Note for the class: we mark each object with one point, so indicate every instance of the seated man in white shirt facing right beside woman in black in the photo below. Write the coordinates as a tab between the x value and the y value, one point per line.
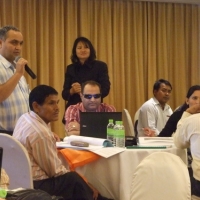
155	112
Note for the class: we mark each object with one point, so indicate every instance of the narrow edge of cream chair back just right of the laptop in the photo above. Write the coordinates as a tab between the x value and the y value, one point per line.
128	124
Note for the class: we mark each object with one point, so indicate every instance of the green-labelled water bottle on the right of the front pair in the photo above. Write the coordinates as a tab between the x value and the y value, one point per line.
120	135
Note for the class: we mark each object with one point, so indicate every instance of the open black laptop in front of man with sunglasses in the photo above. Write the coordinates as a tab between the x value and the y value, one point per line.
94	124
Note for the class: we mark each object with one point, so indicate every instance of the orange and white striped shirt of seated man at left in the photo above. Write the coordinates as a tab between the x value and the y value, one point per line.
38	139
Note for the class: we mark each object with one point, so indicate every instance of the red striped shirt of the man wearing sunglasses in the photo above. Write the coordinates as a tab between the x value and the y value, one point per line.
73	112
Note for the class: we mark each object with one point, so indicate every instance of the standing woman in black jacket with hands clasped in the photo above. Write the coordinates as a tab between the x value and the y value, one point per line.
84	67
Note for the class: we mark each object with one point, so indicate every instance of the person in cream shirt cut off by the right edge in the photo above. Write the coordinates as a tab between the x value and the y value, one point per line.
188	135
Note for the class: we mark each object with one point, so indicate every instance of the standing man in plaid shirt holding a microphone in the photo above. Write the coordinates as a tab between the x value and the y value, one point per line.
14	90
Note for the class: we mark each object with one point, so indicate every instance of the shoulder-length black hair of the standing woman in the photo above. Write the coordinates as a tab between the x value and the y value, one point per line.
87	42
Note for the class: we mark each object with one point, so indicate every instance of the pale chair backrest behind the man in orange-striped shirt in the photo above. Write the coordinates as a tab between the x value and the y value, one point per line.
16	162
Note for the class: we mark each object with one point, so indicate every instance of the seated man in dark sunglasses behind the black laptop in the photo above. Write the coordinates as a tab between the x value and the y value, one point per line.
91	102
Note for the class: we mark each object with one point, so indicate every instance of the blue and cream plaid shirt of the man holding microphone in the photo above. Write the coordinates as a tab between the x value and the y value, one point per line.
17	103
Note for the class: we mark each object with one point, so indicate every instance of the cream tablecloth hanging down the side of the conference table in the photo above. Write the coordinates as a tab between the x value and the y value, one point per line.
113	176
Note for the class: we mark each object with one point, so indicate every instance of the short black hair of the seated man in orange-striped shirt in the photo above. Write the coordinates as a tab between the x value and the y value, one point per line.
39	94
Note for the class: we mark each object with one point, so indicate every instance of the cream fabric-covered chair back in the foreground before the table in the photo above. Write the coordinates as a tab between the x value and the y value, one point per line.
161	176
